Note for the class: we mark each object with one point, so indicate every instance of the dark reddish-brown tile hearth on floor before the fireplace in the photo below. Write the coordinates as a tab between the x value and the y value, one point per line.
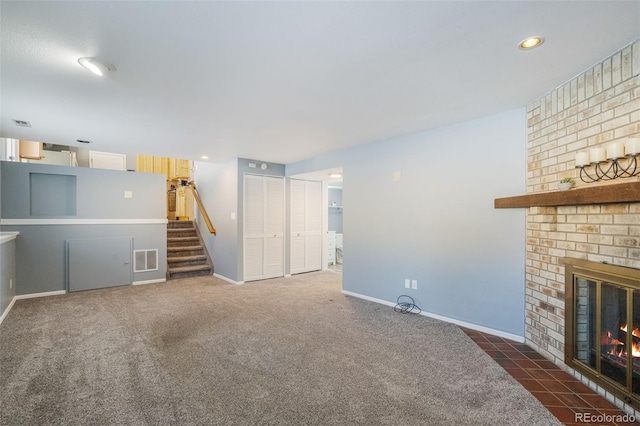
562	394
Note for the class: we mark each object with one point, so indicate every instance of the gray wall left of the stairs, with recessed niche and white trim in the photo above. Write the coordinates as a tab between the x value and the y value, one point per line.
99	196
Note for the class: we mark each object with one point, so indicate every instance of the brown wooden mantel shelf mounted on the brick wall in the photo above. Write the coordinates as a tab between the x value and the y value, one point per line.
607	194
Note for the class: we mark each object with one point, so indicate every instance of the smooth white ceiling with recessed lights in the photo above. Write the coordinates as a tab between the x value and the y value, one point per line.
285	81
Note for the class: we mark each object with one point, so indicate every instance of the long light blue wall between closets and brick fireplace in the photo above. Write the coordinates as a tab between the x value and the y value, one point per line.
438	224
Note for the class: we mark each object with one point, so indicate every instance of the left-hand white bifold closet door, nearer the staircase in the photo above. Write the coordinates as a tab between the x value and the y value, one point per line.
264	226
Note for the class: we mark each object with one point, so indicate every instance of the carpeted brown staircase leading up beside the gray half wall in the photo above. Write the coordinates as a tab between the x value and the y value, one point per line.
186	254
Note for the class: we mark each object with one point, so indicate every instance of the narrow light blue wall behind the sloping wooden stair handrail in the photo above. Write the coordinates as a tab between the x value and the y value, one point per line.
217	186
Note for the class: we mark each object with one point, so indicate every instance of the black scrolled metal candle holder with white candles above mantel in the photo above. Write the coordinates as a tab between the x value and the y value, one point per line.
607	164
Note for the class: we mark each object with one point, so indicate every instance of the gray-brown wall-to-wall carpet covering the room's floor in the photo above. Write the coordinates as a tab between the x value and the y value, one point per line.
285	351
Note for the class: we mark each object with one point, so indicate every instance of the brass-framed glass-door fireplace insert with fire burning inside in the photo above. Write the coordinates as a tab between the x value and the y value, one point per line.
601	301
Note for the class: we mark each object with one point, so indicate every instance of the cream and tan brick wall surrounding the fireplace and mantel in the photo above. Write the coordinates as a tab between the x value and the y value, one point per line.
597	107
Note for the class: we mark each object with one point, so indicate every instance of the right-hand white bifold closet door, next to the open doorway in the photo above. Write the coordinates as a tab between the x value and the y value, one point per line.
306	226
